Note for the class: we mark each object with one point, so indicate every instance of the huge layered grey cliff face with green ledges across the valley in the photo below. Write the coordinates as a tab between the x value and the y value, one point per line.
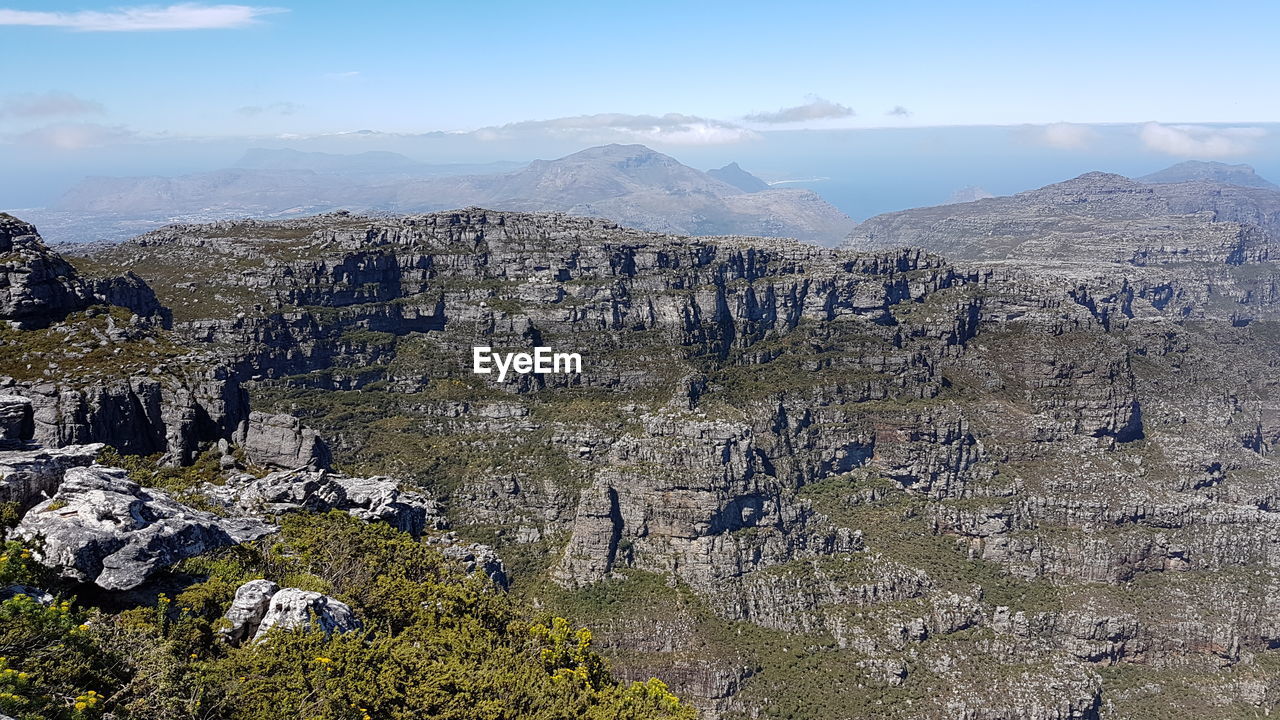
790	481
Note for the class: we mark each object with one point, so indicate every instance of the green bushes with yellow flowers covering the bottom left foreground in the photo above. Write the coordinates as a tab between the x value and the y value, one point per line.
436	644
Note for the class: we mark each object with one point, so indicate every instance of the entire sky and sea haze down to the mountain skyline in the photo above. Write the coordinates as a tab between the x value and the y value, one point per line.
999	97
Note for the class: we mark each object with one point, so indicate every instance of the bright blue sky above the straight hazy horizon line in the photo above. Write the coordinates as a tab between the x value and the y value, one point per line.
414	67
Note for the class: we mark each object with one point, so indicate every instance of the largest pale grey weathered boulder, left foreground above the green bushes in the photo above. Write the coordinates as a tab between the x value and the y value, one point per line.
107	530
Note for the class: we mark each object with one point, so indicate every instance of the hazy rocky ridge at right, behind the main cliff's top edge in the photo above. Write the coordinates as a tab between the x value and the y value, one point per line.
1186	213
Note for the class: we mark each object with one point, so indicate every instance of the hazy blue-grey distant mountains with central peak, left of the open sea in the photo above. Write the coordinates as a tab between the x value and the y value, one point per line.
629	184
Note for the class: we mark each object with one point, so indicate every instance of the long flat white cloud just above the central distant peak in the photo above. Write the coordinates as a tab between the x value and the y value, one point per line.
671	129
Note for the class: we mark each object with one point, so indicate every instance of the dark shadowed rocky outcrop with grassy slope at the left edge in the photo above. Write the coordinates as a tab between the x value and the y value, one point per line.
95	362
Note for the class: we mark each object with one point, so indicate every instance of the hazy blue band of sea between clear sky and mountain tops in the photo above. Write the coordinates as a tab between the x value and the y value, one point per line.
862	172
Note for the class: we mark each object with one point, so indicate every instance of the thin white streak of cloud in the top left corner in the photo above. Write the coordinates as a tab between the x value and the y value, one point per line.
185	16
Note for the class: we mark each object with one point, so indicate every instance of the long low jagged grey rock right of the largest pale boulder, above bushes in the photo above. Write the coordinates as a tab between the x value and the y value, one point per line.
321	491
